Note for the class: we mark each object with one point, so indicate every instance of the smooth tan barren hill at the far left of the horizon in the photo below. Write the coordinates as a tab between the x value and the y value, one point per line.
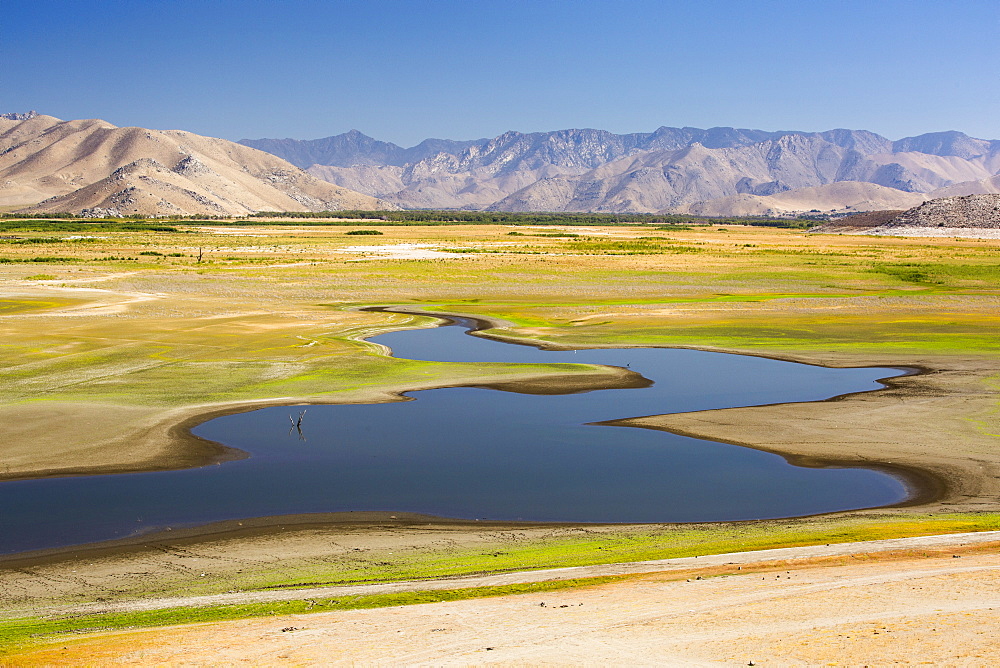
91	166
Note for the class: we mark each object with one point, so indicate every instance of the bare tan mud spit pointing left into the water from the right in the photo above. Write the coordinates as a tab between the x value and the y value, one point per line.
943	422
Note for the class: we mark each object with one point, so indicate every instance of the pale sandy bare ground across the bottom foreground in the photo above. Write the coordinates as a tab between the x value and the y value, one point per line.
938	604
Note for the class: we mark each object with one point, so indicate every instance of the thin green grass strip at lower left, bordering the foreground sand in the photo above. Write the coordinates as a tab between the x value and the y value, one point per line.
21	634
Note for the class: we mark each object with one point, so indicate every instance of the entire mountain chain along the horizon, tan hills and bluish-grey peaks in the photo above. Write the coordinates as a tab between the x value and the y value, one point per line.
95	168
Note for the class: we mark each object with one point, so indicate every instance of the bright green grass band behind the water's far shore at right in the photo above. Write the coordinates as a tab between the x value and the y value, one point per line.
861	326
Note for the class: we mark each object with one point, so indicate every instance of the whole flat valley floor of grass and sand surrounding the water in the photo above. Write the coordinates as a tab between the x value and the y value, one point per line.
108	357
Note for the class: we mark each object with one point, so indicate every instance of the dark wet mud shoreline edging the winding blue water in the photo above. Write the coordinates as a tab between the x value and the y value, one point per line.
925	485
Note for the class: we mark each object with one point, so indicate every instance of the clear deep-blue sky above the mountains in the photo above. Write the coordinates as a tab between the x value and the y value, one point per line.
404	70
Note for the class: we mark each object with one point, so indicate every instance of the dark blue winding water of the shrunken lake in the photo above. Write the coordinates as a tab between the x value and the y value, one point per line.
479	453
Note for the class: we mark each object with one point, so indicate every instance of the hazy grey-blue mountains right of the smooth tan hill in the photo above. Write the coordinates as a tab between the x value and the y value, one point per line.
716	171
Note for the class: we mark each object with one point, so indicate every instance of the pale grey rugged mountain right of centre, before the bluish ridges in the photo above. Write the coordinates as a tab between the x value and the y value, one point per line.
693	178
